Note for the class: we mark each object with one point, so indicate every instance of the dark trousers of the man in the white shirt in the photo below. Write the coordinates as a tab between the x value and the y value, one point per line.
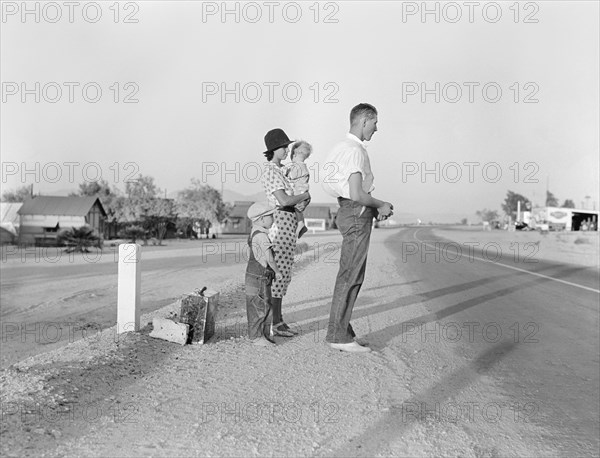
356	233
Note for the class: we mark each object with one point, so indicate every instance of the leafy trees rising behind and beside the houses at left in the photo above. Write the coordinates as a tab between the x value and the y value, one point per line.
141	210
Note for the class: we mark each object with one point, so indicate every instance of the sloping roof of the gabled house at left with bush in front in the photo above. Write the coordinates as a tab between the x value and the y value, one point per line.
58	205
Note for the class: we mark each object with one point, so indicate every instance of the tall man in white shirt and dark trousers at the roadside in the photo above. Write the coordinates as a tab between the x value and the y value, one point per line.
352	184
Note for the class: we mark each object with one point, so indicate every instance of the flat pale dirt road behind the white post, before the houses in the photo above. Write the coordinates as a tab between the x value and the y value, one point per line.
48	300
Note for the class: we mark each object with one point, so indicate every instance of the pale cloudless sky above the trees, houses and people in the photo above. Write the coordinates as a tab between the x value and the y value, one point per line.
473	101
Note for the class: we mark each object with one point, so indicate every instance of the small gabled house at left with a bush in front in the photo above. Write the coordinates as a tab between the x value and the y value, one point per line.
42	217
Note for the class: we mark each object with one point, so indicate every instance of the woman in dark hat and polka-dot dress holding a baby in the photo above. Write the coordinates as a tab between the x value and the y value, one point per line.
280	194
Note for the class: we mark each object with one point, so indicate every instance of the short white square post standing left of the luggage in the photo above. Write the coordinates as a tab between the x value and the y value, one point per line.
129	288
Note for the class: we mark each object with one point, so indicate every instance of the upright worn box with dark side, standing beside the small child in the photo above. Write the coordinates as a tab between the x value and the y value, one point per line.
199	312
